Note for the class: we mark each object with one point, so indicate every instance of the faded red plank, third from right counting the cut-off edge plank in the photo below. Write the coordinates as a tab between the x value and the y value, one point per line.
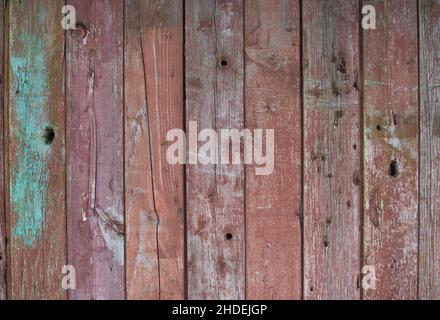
332	165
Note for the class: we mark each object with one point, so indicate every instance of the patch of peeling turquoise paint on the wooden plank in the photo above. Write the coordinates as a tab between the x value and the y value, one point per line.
30	176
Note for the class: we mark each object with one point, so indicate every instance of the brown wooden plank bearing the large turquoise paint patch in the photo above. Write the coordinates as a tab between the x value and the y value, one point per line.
36	149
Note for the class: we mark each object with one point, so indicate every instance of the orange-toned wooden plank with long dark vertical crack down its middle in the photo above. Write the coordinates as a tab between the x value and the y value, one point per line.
154	188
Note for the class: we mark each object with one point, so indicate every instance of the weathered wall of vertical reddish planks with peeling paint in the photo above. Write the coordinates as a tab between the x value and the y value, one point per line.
83	132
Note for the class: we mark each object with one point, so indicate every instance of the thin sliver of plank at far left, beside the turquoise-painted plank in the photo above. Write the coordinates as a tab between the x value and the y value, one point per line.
3	258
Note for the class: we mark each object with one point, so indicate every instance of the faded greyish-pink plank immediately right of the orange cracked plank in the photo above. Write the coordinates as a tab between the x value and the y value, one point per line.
215	193
